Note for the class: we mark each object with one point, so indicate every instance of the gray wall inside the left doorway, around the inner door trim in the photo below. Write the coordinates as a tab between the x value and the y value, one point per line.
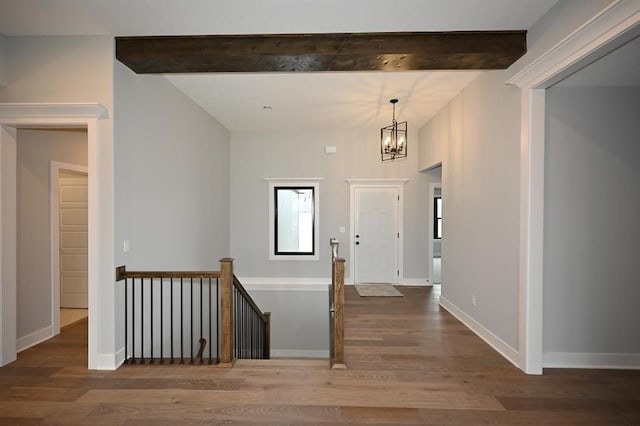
36	148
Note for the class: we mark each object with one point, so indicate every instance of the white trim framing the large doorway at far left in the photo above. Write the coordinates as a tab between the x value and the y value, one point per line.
13	117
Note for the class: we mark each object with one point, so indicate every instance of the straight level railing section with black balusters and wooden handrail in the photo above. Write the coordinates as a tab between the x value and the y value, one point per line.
171	316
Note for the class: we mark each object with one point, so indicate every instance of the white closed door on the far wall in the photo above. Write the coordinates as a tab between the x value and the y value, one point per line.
376	234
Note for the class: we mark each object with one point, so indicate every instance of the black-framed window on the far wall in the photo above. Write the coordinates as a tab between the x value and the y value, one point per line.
294	220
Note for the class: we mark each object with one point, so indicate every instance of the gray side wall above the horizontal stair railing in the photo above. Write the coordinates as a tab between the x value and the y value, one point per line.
171	177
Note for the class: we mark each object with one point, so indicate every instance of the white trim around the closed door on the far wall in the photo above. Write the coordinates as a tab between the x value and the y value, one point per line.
397	184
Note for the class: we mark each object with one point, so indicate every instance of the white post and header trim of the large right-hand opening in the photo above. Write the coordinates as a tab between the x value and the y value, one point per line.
614	25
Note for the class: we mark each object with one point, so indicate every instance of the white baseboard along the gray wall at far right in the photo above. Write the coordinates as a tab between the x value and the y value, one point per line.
619	361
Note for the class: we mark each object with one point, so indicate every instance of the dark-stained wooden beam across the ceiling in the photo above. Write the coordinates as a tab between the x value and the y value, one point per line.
467	50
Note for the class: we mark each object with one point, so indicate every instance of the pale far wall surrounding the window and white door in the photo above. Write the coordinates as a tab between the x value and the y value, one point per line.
259	155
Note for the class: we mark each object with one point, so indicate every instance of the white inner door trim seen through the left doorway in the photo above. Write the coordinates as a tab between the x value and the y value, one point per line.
54	217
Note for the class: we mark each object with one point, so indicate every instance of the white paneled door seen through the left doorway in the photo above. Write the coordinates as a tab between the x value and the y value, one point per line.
73	203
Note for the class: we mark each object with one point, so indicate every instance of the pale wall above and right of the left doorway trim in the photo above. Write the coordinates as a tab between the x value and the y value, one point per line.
74	69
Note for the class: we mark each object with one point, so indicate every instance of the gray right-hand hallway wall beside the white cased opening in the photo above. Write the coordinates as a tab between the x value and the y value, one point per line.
476	138
